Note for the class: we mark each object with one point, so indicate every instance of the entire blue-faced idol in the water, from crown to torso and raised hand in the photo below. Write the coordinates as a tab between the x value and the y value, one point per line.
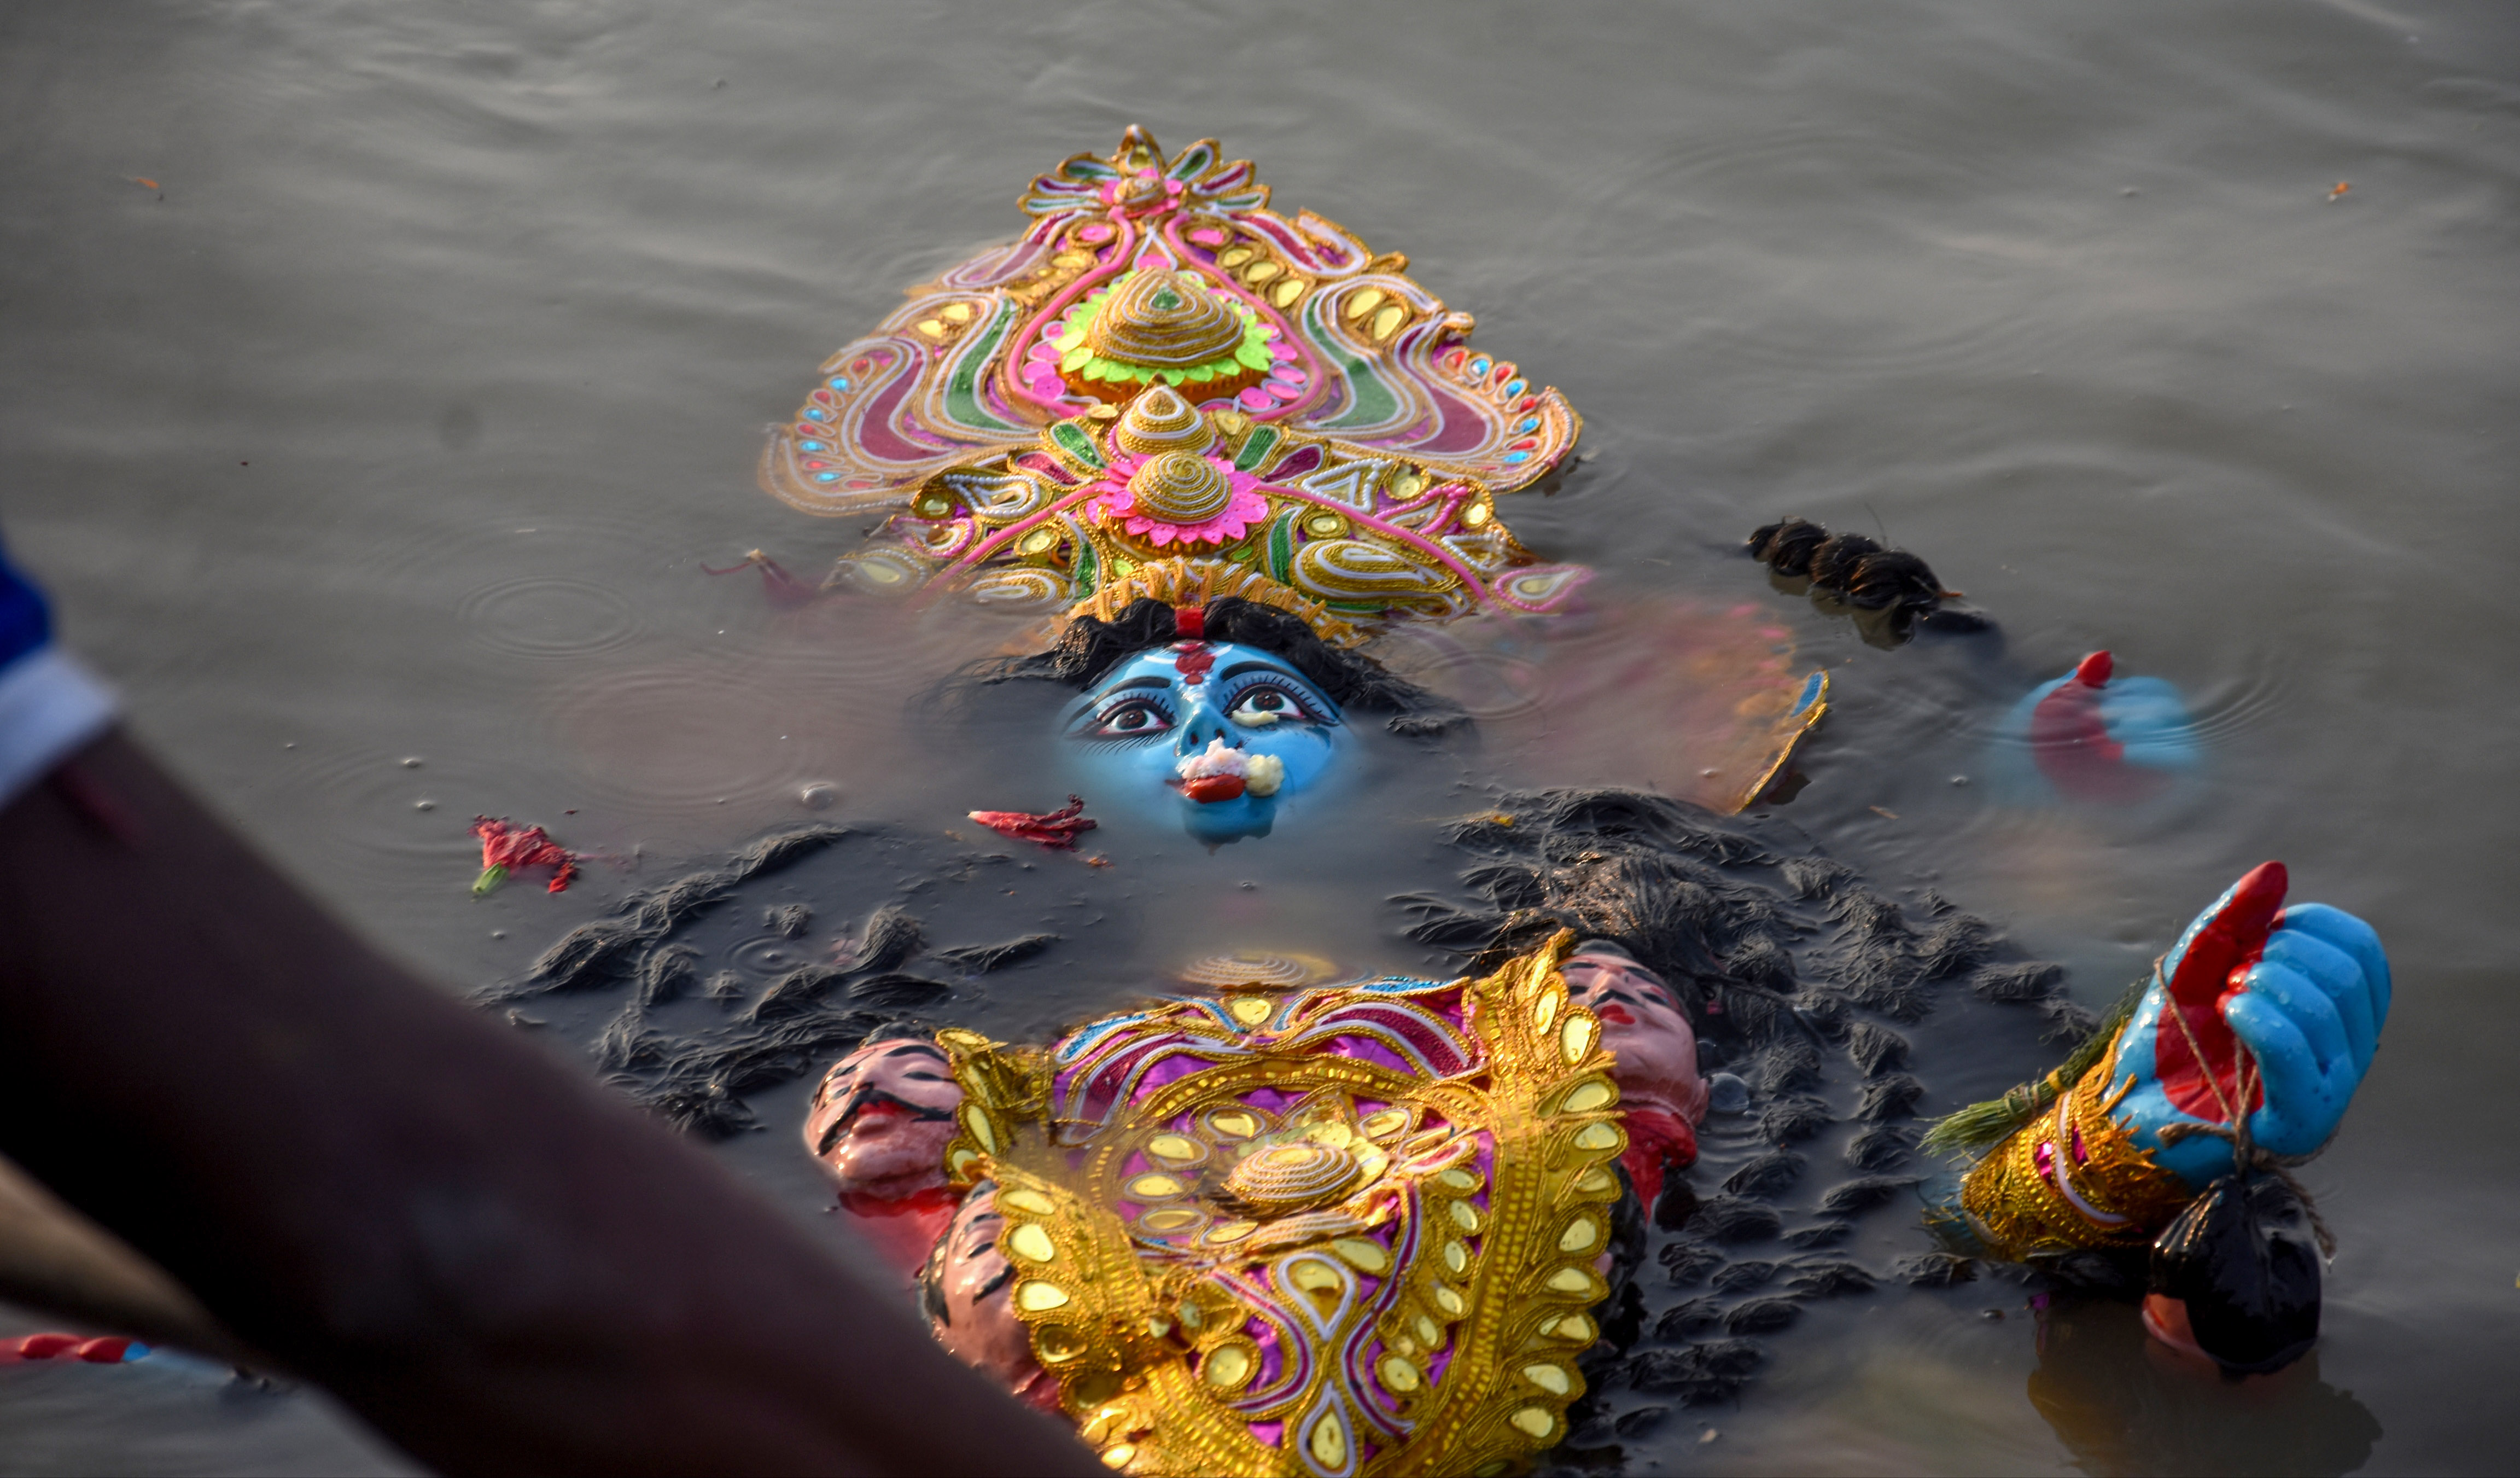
1302	1222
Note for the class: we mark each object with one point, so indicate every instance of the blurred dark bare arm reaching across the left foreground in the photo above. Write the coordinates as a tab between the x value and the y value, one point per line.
490	1260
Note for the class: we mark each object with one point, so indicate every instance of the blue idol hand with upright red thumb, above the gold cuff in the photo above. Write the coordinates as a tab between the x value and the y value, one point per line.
2282	1005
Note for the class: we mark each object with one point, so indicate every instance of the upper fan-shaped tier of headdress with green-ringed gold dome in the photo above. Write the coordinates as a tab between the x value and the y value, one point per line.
1143	271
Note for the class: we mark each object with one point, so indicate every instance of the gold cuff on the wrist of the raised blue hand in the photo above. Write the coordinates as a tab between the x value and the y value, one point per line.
2073	1179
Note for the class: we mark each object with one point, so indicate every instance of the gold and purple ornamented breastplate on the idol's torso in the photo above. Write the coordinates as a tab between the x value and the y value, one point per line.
1299	1260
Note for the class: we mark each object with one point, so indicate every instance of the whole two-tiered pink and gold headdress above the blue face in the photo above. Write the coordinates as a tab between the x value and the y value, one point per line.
1163	369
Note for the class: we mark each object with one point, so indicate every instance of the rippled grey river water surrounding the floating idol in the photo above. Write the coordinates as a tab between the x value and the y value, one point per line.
377	380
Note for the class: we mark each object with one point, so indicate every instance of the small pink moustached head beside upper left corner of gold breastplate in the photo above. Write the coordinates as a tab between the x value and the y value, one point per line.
883	1119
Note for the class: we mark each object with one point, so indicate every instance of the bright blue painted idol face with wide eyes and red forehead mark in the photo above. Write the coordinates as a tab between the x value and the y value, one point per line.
1211	735
